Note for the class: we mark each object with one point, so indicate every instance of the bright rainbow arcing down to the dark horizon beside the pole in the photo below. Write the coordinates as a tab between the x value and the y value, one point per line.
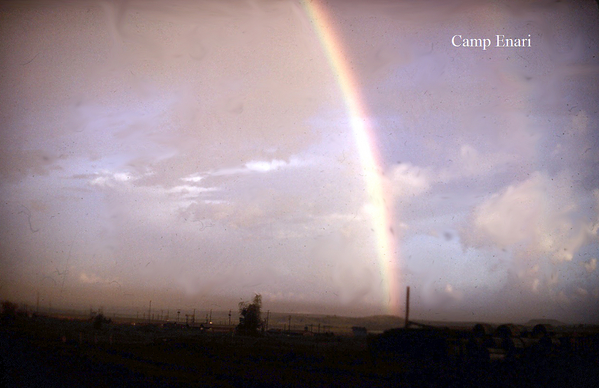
381	214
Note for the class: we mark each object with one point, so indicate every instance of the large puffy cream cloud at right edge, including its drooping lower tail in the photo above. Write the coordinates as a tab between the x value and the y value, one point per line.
541	223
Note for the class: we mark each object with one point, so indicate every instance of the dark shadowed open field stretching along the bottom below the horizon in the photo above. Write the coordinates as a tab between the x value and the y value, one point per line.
44	351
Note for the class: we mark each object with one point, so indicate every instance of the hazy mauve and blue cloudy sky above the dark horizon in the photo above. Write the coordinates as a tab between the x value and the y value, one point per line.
195	153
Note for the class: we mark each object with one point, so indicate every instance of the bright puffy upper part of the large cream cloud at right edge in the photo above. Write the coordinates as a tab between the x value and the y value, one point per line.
537	217
